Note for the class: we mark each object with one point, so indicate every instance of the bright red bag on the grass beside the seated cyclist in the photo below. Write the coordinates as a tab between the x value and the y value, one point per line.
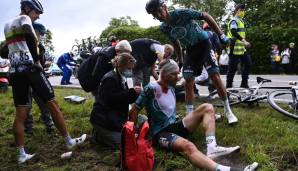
137	152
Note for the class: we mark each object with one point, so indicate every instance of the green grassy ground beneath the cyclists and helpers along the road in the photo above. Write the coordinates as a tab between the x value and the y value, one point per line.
264	135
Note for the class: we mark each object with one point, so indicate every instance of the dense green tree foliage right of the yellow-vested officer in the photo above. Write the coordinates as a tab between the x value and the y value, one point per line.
270	21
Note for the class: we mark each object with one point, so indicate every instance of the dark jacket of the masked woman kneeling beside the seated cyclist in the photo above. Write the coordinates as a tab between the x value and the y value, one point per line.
110	109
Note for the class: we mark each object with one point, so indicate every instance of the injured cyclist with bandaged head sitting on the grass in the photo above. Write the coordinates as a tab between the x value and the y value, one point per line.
159	100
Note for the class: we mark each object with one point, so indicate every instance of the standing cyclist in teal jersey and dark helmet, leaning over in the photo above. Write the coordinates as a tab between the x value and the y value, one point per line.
180	26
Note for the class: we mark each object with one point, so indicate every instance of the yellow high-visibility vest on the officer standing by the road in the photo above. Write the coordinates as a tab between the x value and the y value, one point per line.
239	48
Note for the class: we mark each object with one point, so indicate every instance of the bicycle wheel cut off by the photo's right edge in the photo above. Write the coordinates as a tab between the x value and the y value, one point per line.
283	102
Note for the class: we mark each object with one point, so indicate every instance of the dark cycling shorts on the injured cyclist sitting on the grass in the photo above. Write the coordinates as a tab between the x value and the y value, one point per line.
168	135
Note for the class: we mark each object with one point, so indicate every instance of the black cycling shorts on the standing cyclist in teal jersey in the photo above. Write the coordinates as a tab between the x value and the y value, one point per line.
198	56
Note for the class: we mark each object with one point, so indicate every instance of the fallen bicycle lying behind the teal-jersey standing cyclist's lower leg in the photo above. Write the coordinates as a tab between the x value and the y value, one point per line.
241	95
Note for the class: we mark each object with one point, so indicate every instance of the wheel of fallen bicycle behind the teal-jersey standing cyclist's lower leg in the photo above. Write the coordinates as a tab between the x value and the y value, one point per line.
235	96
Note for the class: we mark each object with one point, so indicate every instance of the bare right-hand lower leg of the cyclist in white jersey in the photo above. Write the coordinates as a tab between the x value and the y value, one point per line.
57	117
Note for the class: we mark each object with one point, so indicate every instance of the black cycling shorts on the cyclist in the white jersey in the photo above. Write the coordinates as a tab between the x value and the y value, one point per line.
23	82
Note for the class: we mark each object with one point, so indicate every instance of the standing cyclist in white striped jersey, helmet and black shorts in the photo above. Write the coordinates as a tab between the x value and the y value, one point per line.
26	73
